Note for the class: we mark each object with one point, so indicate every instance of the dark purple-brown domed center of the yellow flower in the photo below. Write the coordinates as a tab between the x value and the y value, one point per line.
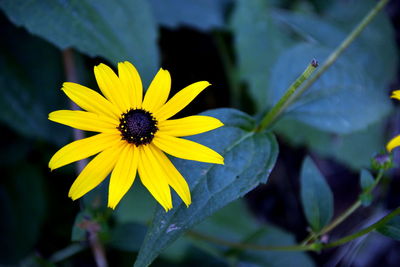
137	126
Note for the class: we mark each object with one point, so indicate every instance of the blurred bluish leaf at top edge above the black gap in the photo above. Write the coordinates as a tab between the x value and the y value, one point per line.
203	15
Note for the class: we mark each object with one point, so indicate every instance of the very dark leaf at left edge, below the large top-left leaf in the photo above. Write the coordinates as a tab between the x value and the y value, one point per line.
30	78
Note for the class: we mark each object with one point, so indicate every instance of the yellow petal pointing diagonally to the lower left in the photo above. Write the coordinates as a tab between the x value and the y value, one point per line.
96	171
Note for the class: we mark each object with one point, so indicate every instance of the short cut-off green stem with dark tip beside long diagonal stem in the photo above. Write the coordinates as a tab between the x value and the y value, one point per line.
284	101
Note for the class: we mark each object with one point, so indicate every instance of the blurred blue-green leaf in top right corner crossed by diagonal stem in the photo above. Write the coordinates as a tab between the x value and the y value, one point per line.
375	47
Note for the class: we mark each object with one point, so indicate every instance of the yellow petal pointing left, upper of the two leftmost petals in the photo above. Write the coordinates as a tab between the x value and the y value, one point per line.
86	121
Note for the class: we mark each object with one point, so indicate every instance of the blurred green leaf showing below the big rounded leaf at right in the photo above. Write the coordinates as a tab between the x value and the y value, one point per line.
355	149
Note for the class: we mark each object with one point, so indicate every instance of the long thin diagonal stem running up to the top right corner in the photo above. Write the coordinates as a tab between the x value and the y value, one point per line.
328	62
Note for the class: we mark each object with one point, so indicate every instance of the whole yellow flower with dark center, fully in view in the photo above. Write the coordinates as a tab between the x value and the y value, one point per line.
132	134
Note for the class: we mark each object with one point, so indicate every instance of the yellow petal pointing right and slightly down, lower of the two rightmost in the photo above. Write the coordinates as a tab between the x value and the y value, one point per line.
185	149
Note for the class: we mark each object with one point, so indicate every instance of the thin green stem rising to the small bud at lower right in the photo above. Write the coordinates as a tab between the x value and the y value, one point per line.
345	214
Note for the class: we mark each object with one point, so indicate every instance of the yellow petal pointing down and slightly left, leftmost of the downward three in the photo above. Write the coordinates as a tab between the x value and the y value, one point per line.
123	175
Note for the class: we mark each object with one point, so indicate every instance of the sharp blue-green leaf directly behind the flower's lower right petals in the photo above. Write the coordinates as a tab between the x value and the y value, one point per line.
249	159
